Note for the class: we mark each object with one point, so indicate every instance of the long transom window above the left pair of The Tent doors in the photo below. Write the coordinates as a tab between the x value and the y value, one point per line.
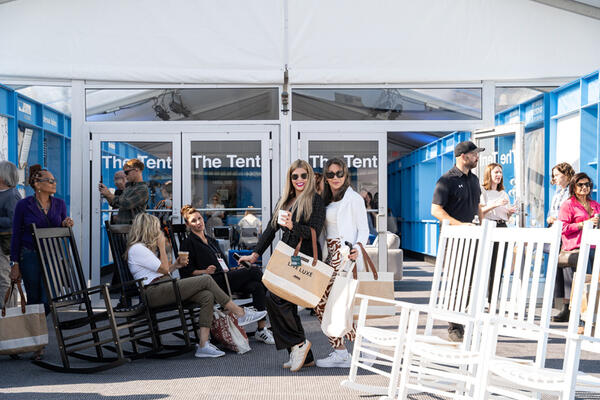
182	104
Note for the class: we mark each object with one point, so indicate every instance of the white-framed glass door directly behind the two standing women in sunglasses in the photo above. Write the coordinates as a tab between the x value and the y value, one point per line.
365	154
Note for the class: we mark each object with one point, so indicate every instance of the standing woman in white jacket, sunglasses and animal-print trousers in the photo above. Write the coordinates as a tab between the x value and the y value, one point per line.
346	221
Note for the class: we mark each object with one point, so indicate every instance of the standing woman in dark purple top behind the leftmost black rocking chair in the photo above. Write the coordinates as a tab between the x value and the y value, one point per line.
45	211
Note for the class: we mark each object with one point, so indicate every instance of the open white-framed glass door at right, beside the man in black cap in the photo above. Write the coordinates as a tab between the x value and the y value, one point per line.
505	145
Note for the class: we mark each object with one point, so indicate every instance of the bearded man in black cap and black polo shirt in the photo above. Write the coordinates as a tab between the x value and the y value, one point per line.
456	198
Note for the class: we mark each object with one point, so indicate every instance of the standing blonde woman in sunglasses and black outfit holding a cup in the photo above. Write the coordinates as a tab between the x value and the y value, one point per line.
304	210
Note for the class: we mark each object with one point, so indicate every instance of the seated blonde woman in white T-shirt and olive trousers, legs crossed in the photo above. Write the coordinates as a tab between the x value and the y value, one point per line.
145	238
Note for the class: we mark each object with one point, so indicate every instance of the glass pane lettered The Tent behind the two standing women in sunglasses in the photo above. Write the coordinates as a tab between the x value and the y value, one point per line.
362	159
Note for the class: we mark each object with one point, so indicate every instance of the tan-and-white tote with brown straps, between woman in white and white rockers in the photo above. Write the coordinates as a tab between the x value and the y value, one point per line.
376	284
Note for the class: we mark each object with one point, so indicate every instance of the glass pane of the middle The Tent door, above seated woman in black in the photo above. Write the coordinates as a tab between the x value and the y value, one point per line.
226	185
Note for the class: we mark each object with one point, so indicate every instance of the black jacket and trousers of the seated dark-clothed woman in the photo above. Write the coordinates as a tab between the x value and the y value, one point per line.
244	280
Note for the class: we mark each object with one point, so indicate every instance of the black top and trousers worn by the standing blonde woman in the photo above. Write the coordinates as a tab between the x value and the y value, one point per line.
285	322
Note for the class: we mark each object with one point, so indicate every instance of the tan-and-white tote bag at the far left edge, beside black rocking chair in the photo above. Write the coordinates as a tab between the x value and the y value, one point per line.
22	329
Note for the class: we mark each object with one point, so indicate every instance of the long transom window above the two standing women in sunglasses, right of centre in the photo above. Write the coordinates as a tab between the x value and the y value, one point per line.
386	104
